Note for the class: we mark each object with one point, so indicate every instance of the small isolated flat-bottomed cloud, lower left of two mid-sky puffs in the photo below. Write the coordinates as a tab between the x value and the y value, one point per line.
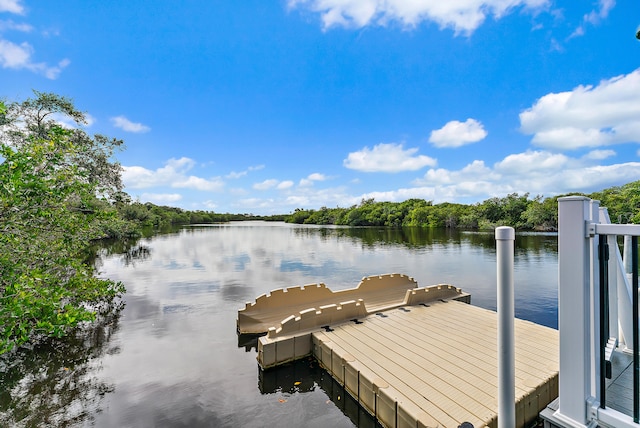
387	158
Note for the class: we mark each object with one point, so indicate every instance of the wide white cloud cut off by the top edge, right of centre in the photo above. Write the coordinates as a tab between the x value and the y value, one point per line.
463	16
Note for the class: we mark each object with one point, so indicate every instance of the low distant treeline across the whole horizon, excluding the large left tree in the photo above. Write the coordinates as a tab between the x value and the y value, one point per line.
519	211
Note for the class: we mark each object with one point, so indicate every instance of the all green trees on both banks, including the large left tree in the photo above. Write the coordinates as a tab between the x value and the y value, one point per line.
61	191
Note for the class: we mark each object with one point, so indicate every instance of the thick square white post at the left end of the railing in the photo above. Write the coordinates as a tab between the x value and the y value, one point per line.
574	308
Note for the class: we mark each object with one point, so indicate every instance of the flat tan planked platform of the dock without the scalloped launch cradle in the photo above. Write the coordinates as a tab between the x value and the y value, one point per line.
437	365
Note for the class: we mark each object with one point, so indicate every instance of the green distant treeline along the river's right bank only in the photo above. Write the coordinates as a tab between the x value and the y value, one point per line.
518	211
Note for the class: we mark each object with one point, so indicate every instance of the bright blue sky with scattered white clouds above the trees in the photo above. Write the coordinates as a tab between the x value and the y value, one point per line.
262	107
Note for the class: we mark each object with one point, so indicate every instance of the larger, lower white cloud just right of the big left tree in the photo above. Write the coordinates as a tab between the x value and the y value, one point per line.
173	174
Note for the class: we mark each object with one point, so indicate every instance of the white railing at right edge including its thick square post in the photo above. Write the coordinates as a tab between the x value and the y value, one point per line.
590	311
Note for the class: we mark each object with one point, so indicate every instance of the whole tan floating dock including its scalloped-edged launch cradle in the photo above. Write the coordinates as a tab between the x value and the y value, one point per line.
422	358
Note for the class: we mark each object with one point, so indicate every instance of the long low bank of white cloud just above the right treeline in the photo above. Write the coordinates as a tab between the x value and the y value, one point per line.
537	172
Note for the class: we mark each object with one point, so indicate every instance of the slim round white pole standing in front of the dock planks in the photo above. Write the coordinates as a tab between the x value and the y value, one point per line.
505	242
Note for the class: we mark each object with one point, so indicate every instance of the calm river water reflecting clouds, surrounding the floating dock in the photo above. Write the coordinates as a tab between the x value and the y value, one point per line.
171	357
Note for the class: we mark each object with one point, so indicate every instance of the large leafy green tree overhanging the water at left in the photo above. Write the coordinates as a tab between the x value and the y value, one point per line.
55	184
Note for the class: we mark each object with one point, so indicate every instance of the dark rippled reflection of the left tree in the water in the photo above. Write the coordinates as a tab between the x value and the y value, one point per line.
54	383
